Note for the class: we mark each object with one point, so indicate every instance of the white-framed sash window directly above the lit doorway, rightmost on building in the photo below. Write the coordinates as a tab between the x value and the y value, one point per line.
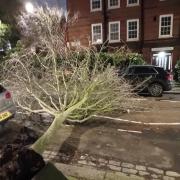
166	26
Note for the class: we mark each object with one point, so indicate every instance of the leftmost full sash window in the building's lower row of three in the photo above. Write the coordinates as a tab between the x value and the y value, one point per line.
96	33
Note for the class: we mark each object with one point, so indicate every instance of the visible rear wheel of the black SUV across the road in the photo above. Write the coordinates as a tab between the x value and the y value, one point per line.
155	90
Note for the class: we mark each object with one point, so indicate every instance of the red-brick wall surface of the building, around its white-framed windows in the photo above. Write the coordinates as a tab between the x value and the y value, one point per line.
148	15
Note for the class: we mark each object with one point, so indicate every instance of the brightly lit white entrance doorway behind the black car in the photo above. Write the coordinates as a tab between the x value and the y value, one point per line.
163	60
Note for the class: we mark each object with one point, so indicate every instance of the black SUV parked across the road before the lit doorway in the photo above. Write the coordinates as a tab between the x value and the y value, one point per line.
149	78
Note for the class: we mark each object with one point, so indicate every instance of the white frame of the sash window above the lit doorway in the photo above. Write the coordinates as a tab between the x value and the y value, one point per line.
171	30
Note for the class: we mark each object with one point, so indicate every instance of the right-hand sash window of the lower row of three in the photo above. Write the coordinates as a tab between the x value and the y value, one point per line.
133	30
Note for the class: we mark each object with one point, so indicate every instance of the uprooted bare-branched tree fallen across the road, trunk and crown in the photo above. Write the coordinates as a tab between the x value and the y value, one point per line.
53	80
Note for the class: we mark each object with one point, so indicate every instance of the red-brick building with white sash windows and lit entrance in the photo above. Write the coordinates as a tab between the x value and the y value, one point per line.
151	27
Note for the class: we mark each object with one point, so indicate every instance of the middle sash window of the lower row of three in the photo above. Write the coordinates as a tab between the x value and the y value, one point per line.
114	31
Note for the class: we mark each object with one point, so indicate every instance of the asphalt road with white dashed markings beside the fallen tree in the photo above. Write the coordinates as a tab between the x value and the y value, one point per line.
155	146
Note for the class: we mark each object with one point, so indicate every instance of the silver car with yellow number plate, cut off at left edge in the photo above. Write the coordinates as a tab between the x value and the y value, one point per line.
7	107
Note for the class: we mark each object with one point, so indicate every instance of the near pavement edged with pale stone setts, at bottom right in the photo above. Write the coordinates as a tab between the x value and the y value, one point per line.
111	170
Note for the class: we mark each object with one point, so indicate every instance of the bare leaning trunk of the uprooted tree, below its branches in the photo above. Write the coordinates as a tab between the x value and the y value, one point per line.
40	145
